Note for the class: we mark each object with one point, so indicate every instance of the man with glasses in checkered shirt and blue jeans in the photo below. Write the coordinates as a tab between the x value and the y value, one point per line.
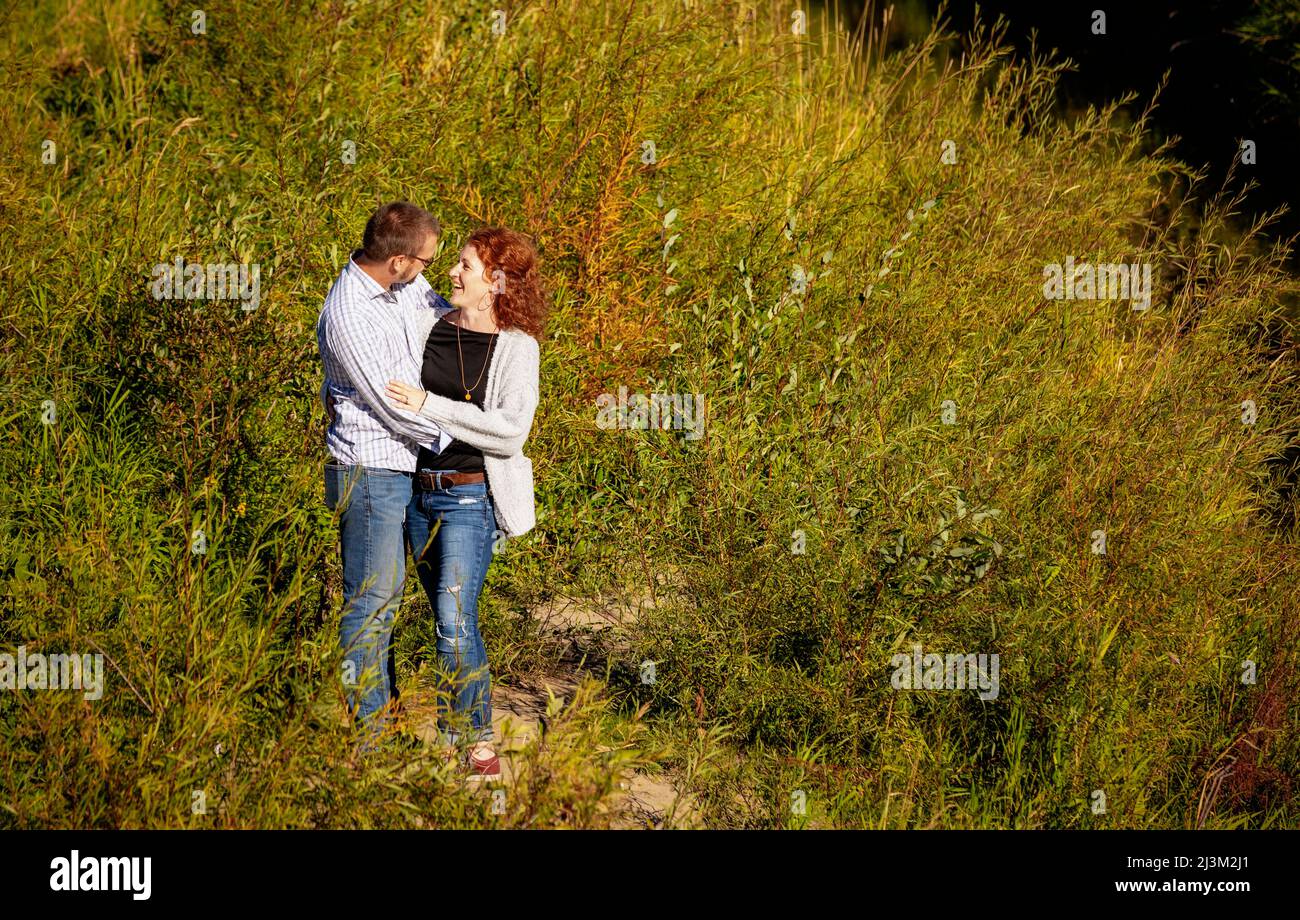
372	329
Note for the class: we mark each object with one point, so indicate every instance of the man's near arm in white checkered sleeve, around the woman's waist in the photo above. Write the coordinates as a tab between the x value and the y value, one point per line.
371	359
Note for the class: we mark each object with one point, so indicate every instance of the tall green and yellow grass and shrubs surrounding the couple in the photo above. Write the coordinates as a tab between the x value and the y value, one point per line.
1121	672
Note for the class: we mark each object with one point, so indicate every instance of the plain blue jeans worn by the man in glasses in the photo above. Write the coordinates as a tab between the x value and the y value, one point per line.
371	530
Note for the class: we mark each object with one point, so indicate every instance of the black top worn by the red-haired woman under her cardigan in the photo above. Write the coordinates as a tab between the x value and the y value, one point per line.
441	375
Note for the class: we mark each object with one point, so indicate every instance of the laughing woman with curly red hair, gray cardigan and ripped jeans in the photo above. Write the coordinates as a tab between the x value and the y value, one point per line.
480	380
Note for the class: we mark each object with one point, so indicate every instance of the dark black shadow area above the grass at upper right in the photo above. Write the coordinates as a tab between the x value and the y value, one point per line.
1234	75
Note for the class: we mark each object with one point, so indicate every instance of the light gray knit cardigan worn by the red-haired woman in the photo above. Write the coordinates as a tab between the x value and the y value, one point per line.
501	428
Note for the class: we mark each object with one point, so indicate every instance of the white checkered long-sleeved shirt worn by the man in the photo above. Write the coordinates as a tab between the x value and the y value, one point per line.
367	337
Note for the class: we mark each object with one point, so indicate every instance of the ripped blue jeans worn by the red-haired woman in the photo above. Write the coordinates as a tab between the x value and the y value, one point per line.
452	532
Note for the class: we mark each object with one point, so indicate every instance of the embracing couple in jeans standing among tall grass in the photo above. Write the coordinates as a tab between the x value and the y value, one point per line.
430	403
